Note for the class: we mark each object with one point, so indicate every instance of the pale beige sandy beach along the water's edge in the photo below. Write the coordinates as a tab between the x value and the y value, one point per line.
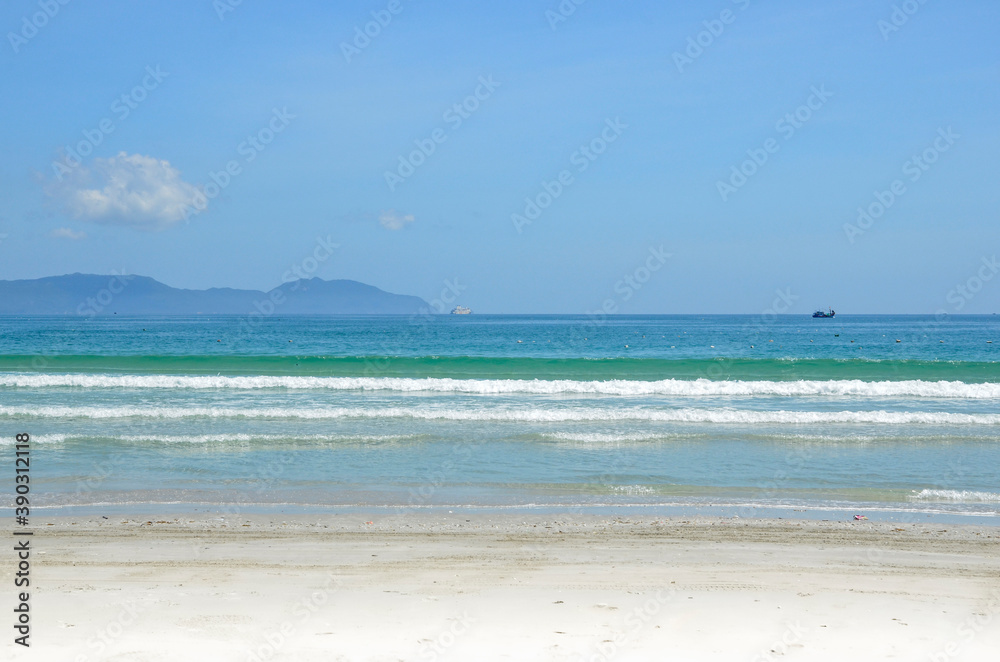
509	587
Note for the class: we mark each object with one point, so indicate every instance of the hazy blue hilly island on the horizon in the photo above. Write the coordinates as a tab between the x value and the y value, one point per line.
91	295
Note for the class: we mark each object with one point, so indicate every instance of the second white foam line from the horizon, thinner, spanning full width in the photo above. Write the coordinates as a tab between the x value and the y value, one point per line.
529	415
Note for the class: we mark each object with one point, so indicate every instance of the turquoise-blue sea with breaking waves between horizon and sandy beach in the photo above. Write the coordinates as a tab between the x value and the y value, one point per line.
885	417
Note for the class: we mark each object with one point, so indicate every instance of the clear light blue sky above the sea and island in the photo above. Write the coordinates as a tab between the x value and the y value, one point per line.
833	100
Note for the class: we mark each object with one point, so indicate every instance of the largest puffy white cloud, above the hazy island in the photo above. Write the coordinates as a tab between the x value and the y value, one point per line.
127	189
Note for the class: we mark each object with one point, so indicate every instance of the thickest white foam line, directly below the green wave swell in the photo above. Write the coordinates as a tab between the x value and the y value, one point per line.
622	387
